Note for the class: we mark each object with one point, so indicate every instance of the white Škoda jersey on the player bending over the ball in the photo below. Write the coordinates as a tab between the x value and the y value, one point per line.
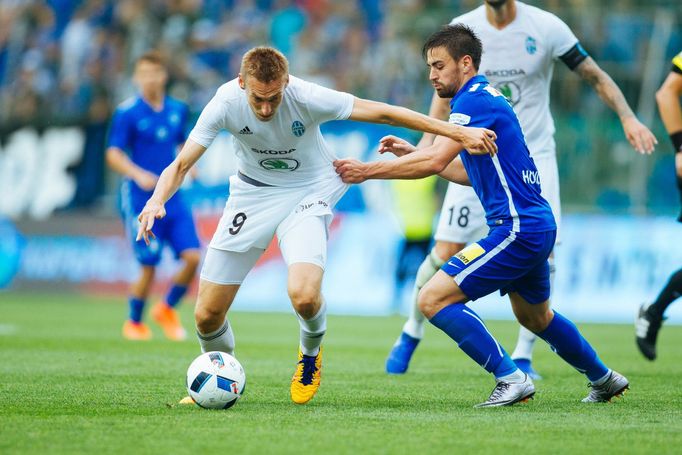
287	150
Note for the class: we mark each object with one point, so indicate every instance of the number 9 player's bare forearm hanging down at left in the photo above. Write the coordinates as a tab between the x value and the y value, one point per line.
170	180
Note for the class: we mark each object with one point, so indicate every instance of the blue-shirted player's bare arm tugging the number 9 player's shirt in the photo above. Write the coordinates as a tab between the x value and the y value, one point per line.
419	164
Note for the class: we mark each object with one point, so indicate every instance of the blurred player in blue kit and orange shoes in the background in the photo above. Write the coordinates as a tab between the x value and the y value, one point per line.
144	135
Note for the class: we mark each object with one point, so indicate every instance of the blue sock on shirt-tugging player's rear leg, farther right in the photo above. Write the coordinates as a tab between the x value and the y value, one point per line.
565	339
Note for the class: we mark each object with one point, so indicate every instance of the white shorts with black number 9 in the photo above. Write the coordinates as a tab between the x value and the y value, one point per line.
254	214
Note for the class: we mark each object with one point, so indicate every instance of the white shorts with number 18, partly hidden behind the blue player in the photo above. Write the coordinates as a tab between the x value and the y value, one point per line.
462	218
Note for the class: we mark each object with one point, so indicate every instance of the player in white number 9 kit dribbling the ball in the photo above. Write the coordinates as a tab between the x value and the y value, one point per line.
285	185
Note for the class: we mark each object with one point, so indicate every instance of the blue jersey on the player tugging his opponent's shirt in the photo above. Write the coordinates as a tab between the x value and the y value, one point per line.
507	184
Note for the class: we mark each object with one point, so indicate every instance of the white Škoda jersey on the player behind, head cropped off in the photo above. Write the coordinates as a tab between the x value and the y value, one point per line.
519	61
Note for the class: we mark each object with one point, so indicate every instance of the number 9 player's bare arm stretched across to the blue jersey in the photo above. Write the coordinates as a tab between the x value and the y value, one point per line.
475	140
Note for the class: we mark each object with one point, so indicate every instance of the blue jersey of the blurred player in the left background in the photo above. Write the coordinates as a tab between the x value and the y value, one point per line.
151	139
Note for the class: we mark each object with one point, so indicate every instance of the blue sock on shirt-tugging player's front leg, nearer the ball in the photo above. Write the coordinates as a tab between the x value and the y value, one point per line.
464	326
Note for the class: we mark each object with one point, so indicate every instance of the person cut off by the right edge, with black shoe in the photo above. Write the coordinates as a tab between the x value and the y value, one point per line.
650	318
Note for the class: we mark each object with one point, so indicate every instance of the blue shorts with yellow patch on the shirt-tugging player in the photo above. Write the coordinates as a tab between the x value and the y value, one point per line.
505	261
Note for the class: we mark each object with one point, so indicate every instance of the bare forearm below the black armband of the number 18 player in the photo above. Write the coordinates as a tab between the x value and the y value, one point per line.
639	136
